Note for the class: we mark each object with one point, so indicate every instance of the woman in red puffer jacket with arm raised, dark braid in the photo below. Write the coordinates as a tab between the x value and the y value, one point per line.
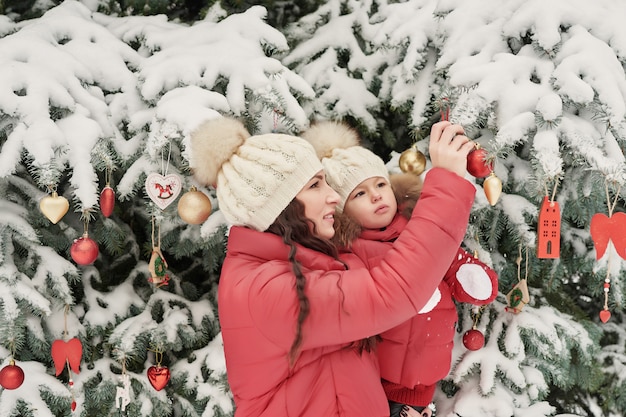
294	315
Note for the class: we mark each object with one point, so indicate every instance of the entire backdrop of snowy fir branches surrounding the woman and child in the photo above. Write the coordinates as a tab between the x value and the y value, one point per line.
539	84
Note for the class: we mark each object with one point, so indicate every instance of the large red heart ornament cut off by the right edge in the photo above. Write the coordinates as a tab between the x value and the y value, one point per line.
604	228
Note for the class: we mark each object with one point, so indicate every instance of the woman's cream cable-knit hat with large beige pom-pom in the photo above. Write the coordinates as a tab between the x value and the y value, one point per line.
256	177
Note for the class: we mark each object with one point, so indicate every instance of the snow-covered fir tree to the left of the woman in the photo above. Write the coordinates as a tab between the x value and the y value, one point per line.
86	99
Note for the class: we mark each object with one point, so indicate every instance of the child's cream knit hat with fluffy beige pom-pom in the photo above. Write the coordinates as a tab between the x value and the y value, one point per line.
346	163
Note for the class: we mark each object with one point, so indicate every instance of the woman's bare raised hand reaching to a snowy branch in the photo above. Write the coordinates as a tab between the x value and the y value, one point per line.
449	147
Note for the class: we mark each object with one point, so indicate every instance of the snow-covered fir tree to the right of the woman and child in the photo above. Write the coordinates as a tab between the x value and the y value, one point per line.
542	87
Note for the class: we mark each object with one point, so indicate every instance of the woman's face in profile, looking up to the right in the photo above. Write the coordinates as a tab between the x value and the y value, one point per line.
319	202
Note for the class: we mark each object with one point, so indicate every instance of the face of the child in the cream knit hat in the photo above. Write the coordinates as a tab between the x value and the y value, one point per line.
372	203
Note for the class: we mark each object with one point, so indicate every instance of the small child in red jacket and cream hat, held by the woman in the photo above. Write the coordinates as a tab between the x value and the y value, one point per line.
374	208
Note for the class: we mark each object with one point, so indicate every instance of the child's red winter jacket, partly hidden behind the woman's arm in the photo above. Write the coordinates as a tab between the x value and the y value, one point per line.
415	355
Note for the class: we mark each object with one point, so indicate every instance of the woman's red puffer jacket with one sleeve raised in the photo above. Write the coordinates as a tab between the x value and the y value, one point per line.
258	310
